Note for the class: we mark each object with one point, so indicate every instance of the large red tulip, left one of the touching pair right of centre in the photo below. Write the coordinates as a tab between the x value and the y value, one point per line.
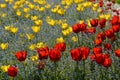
76	54
